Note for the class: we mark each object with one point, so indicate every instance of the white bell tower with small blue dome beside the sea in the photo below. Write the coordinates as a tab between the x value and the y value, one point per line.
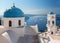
51	22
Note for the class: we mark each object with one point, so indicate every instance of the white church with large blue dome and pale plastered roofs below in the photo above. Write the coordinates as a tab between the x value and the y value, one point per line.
14	28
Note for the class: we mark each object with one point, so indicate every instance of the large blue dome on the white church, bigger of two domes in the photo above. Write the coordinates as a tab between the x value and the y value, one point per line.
13	12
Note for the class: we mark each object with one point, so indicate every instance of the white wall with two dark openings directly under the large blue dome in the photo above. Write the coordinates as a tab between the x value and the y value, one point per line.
14	21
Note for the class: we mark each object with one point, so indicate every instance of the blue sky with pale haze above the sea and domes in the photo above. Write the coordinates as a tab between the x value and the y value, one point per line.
31	6
